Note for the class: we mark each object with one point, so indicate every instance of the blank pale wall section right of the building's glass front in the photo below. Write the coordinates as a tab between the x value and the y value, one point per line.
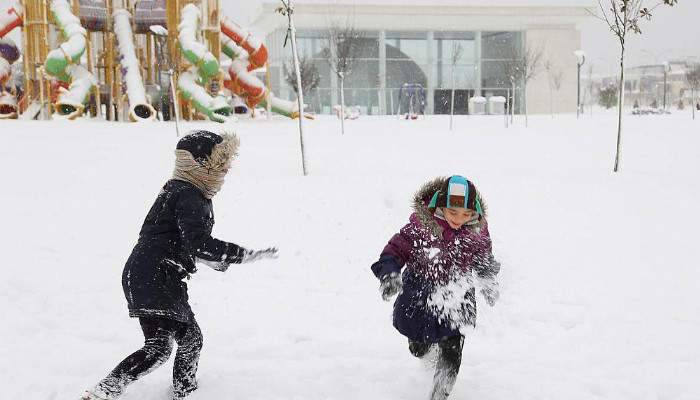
558	46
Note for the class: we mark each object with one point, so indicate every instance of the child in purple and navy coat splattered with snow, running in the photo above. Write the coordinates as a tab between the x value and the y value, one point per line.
443	247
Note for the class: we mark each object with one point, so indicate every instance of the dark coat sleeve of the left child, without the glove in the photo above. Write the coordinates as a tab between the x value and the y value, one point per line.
194	222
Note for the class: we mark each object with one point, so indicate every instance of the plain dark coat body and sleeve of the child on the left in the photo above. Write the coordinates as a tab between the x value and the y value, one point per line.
175	234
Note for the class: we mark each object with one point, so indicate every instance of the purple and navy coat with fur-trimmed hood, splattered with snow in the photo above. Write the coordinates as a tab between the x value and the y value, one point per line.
438	298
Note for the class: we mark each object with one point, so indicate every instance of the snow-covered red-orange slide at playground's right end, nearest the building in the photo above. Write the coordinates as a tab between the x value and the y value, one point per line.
249	54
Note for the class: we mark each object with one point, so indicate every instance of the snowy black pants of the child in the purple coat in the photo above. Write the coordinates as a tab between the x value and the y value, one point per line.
448	363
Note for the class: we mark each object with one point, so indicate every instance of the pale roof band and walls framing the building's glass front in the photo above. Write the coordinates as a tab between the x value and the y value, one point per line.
555	29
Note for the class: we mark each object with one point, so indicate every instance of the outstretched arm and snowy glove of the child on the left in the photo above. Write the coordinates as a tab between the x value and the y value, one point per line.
218	254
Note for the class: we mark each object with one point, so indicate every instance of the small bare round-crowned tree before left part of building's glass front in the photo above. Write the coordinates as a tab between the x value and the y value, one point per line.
342	51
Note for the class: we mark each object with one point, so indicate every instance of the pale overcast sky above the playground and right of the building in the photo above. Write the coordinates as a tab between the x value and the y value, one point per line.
673	33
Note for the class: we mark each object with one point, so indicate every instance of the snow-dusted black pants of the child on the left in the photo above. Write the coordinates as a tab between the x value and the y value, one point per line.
159	334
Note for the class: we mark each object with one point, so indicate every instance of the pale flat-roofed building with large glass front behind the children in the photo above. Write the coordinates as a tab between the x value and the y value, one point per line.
411	42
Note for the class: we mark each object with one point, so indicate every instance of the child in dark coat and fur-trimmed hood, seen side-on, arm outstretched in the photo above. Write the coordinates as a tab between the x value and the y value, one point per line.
175	236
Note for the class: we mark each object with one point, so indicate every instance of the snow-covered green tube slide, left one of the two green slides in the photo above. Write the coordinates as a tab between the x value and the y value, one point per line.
63	63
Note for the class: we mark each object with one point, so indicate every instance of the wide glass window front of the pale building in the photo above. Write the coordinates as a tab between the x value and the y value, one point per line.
411	59
